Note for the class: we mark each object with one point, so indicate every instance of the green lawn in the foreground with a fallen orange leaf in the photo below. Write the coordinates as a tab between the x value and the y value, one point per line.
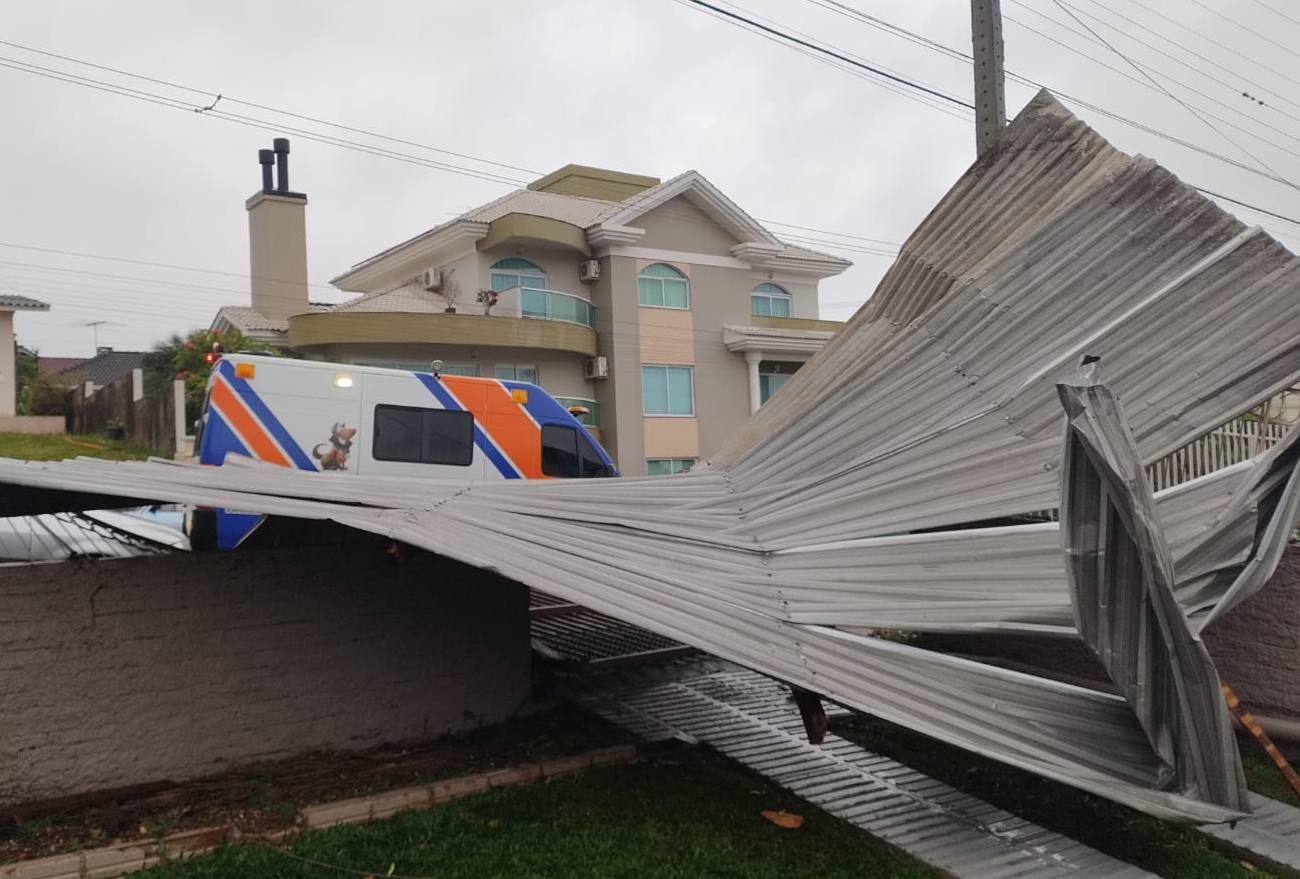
692	815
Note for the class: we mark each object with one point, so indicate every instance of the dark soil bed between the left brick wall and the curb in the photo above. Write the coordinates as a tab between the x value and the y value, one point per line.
263	798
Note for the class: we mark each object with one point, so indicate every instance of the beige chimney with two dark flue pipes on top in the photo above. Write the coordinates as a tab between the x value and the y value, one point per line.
278	240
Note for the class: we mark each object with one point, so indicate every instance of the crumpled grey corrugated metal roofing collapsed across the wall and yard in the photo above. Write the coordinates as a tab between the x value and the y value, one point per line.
852	500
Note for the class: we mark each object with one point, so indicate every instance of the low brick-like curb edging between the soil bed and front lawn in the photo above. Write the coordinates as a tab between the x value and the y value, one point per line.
129	858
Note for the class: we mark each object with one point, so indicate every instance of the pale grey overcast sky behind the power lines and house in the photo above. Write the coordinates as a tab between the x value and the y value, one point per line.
645	86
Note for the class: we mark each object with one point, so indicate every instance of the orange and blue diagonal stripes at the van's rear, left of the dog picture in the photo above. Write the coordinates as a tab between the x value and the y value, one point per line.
241	422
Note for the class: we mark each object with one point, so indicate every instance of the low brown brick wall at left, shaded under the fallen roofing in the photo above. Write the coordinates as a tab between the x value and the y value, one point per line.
123	672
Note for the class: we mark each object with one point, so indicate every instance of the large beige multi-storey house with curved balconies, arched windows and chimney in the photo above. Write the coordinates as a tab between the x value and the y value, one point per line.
662	309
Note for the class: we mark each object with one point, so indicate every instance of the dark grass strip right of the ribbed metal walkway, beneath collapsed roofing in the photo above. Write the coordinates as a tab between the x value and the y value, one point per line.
1163	848
